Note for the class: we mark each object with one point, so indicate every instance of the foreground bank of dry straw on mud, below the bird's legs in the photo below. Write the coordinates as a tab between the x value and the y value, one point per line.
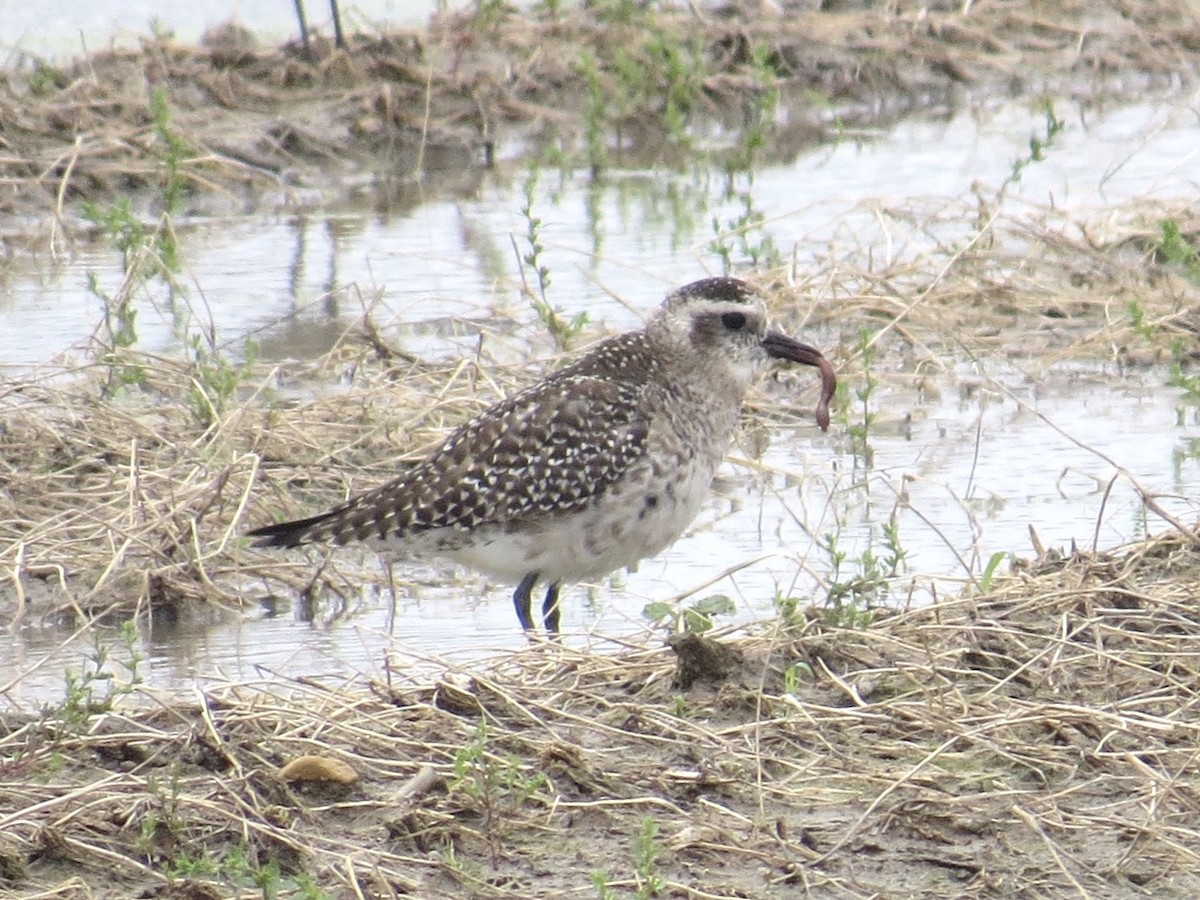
1040	741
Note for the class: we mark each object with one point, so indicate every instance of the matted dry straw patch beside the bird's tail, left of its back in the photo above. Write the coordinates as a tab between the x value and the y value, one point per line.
136	505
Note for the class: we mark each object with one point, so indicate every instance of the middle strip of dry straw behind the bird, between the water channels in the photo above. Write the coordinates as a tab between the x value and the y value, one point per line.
124	505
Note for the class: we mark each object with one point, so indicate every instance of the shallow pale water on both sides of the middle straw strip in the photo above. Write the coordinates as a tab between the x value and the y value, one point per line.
988	454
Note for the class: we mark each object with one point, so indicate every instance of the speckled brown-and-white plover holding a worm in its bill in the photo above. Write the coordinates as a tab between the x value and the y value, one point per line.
597	466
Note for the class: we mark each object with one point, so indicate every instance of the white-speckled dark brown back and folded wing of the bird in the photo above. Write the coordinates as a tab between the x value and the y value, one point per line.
550	449
